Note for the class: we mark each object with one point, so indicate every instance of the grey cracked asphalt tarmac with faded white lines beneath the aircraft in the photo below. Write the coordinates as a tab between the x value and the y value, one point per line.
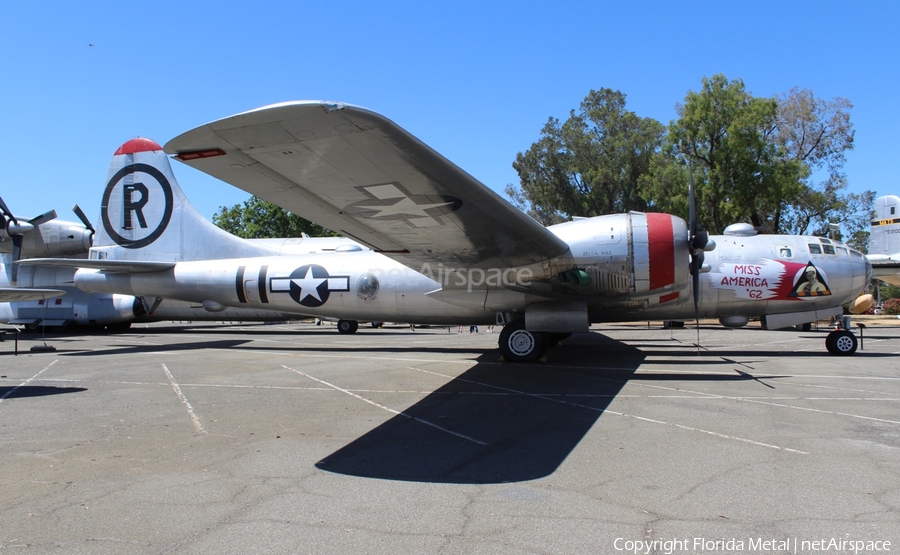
292	438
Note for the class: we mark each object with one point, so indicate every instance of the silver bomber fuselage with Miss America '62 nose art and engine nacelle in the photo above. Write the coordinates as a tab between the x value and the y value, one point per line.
744	276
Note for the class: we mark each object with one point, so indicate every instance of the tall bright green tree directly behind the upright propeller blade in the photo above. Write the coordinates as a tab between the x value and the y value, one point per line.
740	173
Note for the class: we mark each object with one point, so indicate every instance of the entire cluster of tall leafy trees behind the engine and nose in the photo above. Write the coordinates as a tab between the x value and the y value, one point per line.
773	162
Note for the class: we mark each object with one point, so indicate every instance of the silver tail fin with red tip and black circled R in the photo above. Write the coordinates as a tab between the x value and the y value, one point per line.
145	215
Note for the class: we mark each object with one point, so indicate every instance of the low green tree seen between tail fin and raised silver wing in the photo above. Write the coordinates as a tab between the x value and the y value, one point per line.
258	218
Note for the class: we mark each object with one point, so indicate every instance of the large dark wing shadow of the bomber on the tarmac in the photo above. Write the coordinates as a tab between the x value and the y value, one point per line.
499	423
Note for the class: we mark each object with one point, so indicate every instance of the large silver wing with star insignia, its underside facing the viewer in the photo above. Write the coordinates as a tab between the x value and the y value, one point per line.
358	173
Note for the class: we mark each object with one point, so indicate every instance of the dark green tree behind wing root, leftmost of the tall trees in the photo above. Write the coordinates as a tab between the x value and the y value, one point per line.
591	164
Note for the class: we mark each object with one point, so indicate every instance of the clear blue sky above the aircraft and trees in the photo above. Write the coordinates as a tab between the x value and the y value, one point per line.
474	80
